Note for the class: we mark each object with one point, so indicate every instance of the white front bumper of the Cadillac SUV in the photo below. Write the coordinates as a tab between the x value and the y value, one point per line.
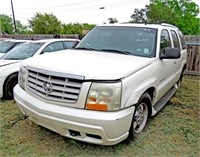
104	128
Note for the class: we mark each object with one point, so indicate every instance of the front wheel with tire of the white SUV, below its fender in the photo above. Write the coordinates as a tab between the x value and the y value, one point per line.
140	116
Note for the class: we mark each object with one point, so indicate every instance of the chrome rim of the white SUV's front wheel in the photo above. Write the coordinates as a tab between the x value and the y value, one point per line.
140	118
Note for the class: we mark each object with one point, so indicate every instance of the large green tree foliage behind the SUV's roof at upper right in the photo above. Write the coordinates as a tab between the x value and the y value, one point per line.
182	13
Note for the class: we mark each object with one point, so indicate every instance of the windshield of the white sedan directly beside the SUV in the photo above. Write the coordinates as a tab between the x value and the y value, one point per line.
23	51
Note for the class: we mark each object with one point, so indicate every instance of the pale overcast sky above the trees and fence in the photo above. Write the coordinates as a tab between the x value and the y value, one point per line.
74	11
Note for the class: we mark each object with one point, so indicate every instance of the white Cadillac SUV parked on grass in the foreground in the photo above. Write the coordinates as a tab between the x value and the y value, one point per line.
107	88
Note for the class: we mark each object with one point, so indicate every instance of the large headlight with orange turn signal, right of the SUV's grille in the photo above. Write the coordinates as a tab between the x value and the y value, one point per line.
104	96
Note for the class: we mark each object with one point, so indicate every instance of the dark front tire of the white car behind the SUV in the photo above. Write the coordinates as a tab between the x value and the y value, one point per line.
9	84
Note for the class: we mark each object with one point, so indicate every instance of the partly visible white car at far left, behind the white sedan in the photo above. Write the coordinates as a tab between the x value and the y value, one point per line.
8	44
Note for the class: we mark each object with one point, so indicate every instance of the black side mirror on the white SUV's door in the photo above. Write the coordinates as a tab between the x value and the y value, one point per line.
170	53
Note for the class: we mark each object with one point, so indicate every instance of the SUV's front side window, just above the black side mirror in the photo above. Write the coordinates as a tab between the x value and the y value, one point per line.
164	40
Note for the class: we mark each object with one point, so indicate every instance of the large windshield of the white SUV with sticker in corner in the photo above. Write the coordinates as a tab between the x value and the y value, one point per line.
116	39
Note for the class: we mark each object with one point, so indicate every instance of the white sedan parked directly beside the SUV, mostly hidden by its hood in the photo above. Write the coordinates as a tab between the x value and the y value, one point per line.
10	62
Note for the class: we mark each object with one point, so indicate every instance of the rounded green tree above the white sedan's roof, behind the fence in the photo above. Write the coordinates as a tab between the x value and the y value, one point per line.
45	24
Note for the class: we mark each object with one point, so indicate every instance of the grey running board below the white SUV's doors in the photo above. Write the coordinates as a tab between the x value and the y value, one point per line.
163	101
